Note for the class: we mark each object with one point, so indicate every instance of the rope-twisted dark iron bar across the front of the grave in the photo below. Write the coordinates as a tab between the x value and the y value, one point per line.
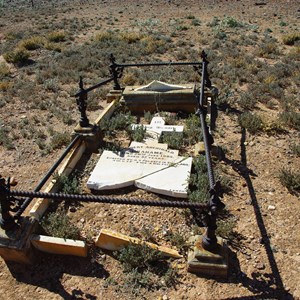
106	199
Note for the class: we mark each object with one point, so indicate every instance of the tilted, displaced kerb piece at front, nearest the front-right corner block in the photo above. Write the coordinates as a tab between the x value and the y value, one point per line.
113	241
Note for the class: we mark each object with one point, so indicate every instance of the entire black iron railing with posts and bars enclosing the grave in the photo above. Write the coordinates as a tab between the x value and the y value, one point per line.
10	203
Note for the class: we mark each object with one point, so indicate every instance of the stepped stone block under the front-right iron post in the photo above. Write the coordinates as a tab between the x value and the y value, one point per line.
208	263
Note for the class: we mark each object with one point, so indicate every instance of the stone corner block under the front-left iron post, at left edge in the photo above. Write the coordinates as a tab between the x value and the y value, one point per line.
15	244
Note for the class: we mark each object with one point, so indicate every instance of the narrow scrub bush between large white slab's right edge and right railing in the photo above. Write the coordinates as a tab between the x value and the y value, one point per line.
198	183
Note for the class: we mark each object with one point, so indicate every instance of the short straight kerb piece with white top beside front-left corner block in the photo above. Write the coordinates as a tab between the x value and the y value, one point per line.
56	245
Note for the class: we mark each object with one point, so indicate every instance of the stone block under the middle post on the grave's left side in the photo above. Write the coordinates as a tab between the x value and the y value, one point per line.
91	135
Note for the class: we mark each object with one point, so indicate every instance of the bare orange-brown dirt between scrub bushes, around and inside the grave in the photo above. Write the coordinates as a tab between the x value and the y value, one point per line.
265	253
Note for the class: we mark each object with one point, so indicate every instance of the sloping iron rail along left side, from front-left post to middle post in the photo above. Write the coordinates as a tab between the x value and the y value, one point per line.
46	177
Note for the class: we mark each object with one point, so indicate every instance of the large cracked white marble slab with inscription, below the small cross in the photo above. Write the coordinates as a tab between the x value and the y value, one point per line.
148	166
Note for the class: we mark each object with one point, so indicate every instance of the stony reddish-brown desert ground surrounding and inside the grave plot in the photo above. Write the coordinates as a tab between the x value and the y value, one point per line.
264	256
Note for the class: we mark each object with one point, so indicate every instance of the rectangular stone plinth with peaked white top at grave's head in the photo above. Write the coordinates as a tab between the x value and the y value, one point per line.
162	96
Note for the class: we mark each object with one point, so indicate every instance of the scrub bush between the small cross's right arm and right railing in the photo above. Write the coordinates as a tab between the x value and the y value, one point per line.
192	133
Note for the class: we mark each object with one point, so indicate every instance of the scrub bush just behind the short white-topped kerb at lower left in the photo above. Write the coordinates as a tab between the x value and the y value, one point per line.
58	224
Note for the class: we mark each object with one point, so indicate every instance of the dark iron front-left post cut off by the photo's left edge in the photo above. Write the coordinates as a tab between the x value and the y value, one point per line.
6	219
